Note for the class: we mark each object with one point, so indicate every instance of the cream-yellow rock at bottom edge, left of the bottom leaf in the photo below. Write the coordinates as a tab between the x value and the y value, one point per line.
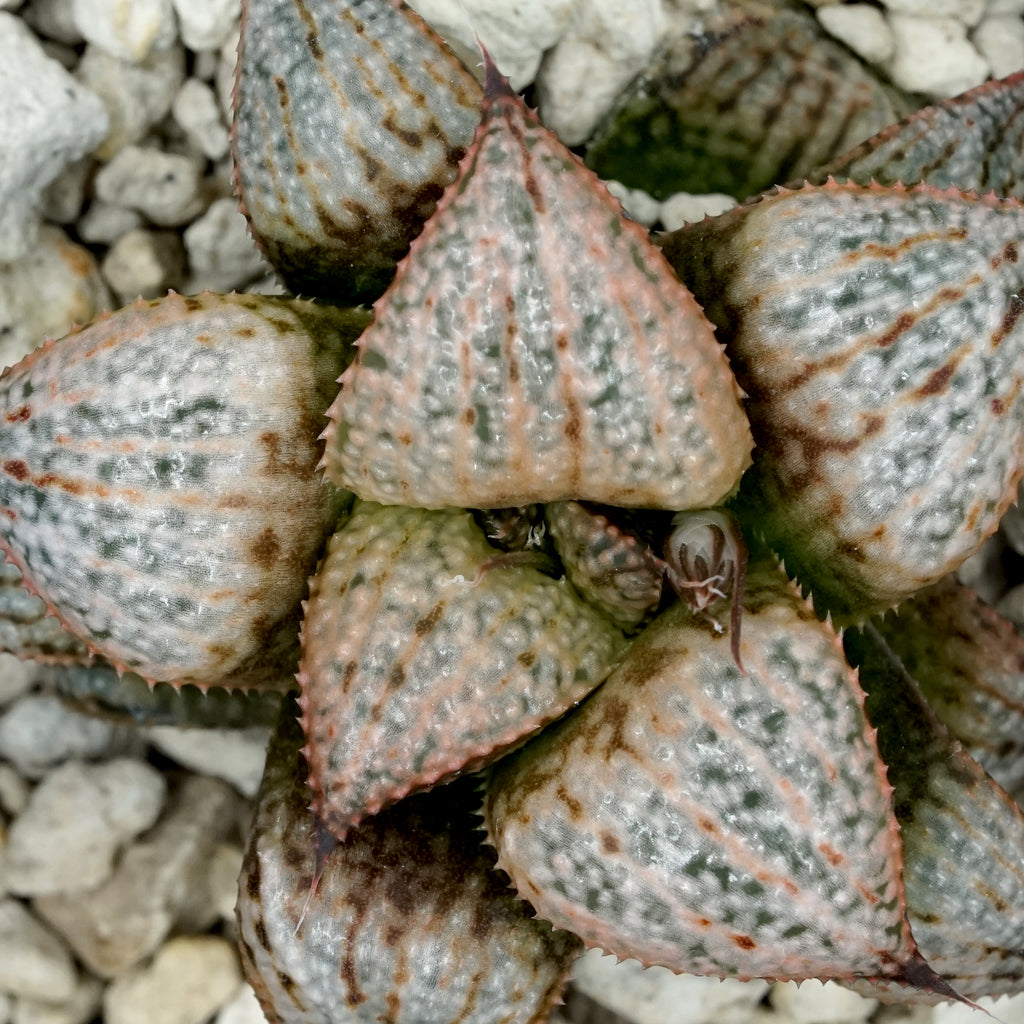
190	980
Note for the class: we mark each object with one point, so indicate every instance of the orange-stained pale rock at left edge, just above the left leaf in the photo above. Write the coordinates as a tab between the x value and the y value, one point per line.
55	286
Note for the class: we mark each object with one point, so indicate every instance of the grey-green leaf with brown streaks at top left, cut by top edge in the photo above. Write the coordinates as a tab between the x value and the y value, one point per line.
351	119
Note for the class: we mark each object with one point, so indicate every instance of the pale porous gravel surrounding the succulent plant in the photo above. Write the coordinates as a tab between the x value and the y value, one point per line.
120	845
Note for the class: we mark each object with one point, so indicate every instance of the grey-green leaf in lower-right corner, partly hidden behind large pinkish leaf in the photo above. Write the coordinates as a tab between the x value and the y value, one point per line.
963	836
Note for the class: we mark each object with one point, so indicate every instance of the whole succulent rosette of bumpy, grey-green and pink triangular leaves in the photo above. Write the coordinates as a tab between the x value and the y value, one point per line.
537	428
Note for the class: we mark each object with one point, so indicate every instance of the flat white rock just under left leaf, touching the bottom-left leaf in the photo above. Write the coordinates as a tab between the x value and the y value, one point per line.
234	755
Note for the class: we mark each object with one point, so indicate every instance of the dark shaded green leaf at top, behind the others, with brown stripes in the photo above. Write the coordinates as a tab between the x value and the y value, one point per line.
755	98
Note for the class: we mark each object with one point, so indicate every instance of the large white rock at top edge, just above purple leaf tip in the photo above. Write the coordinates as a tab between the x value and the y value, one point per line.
516	34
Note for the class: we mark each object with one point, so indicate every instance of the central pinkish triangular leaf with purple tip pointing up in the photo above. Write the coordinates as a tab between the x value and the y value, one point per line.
542	348
